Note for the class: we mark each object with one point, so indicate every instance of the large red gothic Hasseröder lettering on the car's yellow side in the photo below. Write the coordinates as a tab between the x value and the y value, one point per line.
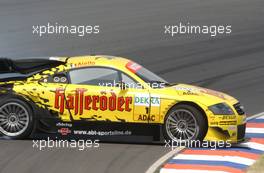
79	102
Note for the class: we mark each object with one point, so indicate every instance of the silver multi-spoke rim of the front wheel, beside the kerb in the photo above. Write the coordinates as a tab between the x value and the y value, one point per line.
182	125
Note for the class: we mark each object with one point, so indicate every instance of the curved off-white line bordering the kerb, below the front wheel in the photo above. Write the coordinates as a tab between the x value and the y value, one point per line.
163	159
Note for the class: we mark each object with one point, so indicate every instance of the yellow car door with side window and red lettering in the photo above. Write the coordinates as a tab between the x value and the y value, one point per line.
93	95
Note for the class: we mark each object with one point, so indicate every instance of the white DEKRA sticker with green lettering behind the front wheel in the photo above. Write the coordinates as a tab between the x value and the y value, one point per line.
145	100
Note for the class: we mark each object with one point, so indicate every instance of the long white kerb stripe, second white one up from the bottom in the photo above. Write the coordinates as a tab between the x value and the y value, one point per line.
233	159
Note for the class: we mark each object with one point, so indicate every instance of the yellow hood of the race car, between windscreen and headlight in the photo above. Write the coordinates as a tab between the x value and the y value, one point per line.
204	95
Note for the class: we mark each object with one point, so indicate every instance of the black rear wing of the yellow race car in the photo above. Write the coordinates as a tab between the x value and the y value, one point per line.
19	69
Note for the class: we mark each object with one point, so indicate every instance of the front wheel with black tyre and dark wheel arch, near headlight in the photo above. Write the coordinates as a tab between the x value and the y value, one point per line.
184	123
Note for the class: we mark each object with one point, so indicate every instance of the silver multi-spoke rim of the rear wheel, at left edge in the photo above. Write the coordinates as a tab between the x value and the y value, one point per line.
14	119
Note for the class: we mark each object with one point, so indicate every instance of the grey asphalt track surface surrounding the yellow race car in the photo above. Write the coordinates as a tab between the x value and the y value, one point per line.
231	63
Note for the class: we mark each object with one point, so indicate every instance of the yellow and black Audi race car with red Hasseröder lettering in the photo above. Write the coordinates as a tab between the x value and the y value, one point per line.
109	97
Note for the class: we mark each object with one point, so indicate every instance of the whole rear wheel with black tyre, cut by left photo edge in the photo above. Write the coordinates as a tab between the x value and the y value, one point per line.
16	119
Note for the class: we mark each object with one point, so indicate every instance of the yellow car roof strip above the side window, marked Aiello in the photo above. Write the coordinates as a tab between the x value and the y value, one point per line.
94	60
